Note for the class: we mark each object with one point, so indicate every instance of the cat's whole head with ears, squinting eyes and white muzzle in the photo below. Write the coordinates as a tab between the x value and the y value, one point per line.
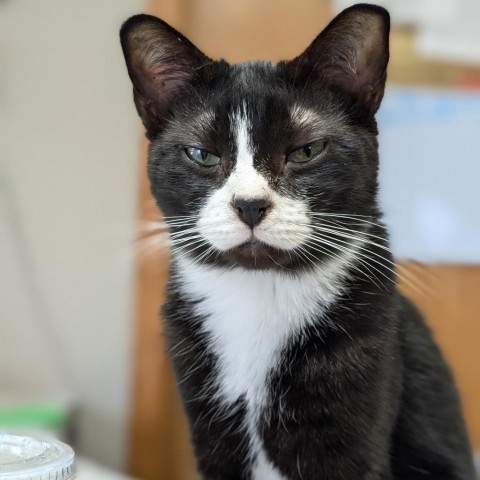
262	165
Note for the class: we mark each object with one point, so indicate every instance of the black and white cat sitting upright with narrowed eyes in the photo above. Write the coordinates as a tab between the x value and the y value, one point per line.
296	356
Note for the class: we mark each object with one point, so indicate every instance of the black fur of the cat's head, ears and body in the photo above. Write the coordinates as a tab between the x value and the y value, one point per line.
365	394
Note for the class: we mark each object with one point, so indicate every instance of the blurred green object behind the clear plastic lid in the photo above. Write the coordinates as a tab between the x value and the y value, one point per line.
34	416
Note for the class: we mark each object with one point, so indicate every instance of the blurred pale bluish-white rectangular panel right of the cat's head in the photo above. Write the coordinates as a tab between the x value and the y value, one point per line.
429	171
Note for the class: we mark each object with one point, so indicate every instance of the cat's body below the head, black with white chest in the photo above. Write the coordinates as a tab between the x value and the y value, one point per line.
310	397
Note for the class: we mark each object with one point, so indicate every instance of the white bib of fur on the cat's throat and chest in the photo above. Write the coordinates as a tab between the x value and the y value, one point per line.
249	318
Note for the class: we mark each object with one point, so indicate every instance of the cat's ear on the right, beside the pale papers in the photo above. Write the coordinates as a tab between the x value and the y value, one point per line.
350	55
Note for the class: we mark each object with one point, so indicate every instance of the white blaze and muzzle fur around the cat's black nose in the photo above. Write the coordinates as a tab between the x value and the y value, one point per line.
286	225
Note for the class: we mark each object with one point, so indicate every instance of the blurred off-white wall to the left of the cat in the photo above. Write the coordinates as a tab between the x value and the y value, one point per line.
68	160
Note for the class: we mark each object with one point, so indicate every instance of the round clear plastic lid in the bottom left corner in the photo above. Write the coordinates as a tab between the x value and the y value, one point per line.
34	458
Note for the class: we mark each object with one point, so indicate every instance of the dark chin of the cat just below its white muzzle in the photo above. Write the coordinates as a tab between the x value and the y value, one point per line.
257	255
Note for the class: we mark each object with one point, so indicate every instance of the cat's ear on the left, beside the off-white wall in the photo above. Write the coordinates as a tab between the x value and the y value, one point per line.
161	63
